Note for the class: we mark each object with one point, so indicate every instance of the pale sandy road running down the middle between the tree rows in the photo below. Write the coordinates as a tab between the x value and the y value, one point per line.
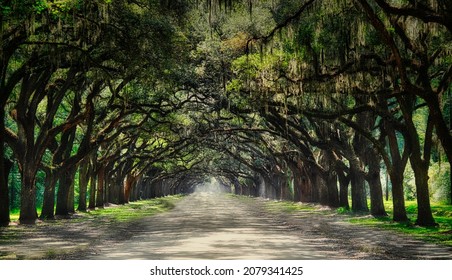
214	226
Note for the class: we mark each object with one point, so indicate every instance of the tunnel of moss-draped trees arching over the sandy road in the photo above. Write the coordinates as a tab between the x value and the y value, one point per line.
345	103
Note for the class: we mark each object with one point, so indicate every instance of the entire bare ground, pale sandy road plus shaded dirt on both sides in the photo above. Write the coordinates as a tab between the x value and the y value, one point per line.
213	226
